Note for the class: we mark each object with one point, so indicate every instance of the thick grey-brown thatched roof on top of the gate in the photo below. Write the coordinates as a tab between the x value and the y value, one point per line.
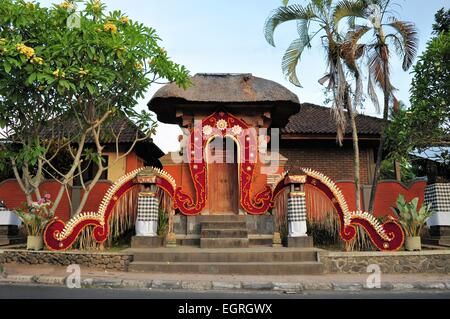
235	92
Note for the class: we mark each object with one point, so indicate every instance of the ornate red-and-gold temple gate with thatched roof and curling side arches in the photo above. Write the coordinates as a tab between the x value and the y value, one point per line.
224	182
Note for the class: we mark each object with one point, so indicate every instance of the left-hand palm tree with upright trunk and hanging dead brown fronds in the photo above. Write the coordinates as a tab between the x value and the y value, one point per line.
339	49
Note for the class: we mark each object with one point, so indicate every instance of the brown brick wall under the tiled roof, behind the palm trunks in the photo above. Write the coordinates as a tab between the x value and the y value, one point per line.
327	157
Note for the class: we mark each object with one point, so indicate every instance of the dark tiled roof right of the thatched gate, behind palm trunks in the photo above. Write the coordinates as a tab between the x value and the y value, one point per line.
315	119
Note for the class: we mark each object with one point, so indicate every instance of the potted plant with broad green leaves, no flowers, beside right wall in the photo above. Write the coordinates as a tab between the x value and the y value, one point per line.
412	220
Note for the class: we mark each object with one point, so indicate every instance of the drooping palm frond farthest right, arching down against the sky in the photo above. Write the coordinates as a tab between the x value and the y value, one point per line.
409	40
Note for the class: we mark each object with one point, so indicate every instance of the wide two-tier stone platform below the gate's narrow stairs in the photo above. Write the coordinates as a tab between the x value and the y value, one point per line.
242	261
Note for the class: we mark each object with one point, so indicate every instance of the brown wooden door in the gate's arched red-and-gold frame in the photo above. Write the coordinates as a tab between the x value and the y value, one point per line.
223	185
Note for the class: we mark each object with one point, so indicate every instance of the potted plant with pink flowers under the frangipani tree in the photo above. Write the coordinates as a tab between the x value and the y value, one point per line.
35	218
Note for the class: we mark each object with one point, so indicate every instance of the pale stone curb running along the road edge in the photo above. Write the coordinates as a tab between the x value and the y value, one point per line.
289	287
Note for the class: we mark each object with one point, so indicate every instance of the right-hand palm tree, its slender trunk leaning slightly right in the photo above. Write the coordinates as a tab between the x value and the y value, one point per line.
388	32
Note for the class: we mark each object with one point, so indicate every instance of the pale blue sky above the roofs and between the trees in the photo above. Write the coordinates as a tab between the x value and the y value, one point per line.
226	36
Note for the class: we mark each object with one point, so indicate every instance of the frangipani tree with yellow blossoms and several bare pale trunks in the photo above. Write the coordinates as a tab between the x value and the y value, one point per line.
69	73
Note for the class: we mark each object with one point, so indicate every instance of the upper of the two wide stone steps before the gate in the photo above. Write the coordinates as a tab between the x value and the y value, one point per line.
219	256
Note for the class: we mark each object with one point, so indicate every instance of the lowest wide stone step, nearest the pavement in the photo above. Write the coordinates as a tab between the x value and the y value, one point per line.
274	268
